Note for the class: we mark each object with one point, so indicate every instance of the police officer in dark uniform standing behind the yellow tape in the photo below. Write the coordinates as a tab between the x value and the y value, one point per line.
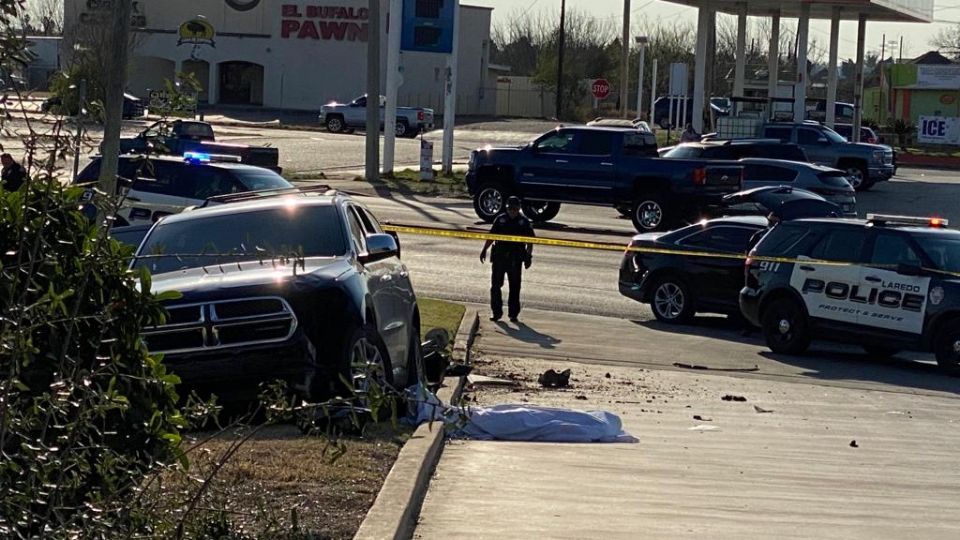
507	258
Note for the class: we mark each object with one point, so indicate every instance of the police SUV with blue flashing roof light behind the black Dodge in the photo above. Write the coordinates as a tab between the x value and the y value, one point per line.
160	185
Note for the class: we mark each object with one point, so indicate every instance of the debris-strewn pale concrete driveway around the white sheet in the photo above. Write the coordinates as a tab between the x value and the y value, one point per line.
793	461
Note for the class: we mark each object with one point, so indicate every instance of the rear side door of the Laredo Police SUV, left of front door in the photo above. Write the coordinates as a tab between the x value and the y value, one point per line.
833	289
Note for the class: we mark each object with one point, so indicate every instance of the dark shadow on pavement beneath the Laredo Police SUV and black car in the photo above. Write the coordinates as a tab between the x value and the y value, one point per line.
826	361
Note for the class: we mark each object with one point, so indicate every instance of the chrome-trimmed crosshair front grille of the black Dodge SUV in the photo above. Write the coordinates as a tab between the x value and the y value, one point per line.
222	324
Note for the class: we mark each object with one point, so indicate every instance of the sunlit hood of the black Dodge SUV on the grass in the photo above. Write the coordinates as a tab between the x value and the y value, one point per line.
254	276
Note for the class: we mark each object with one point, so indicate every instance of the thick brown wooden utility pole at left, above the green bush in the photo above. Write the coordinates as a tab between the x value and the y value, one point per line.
116	68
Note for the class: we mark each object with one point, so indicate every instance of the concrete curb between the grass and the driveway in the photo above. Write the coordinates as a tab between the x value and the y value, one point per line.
395	511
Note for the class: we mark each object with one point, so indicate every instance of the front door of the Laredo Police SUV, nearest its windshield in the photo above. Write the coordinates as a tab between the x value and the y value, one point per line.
895	301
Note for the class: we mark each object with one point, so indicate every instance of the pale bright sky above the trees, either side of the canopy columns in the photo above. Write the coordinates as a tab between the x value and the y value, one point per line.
916	37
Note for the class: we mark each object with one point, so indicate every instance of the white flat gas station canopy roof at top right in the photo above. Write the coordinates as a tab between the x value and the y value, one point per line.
875	10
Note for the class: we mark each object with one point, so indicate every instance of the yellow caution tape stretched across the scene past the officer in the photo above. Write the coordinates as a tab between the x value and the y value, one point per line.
607	246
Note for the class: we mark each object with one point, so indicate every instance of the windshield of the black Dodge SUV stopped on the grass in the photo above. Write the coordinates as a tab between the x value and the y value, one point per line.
312	231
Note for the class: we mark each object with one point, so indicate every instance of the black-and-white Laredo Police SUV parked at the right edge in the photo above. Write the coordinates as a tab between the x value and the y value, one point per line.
886	283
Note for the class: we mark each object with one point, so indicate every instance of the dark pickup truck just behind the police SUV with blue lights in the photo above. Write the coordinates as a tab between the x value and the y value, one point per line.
181	136
